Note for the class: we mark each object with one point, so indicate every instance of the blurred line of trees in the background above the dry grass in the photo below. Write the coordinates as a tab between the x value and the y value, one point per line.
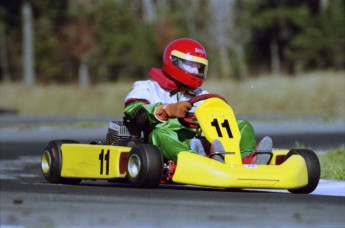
110	40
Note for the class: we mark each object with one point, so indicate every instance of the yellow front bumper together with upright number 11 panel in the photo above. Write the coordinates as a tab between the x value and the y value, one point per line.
218	121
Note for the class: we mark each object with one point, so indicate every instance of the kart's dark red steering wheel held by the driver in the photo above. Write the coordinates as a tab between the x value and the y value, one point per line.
190	120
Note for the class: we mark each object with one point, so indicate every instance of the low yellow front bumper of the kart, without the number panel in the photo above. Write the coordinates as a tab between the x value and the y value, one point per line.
198	170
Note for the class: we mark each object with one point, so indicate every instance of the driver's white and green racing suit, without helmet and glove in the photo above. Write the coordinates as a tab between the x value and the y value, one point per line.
170	136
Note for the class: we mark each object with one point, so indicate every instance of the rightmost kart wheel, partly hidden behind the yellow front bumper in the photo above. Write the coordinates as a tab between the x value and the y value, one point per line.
313	167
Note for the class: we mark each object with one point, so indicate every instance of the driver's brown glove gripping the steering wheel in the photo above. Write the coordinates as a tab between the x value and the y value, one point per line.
174	110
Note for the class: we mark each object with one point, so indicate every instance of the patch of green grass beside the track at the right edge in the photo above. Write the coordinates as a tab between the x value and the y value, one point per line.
332	164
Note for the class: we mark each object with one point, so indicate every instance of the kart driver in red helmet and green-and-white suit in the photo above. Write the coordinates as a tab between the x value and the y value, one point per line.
154	105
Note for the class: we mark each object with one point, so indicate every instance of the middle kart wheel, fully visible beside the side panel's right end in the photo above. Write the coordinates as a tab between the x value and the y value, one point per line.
145	166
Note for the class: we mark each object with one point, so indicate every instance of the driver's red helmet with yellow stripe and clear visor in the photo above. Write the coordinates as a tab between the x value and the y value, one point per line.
185	60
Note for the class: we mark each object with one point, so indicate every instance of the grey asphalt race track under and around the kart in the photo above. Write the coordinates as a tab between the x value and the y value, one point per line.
28	200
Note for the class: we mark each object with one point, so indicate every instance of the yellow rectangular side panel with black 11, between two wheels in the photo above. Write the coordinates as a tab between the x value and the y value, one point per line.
93	161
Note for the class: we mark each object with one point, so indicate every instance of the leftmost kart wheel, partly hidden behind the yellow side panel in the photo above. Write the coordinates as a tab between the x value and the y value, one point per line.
51	162
